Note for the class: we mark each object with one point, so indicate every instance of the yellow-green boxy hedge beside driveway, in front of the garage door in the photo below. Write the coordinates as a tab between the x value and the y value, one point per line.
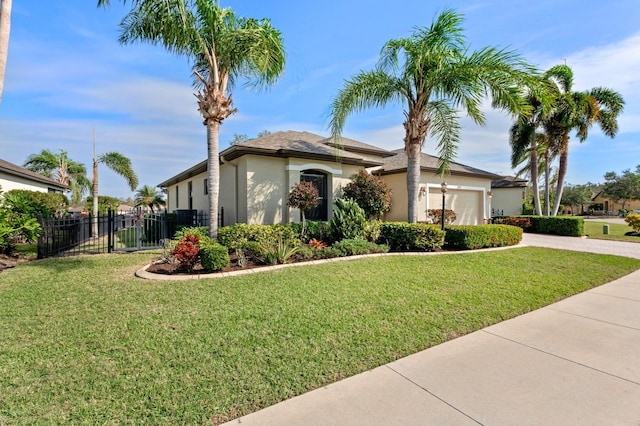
471	237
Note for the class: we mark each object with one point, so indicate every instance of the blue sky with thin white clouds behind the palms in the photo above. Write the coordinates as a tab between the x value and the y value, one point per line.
66	73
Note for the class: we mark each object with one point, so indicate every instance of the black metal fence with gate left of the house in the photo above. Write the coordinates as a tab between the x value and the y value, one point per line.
124	231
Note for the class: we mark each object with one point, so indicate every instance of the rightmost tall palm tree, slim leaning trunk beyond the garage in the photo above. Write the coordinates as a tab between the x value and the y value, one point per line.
577	111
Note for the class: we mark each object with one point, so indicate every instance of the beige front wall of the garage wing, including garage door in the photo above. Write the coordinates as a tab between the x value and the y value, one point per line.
466	196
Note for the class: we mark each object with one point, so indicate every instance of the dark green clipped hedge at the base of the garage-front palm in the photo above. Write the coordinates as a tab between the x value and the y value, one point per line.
402	236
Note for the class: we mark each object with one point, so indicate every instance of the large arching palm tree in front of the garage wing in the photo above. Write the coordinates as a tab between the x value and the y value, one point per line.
433	74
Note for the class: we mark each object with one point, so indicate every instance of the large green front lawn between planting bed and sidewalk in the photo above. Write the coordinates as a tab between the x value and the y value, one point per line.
83	341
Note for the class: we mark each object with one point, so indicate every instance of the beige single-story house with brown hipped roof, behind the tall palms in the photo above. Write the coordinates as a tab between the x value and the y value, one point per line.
257	175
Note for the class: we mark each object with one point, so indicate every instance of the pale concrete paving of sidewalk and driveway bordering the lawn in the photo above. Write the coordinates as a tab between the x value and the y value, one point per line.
575	362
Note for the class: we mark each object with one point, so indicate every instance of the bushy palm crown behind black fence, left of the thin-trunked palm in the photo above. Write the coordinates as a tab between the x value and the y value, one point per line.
63	169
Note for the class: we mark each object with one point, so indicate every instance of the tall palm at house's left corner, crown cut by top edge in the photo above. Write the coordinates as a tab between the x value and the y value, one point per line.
222	48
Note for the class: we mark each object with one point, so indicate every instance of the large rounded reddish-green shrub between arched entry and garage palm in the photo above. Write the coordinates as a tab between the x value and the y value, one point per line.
370	193
